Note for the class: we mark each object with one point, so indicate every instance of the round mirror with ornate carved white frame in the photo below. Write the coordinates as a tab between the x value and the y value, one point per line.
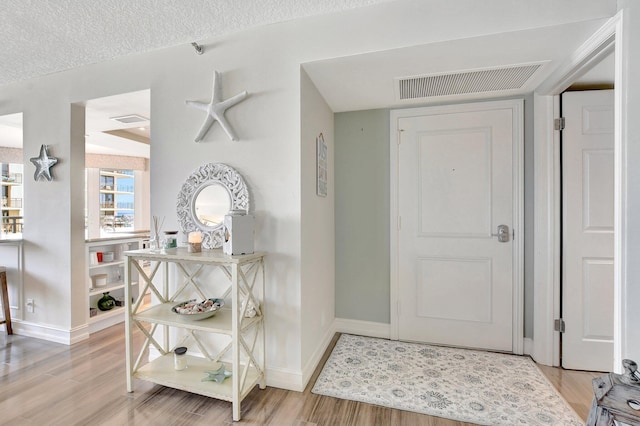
206	196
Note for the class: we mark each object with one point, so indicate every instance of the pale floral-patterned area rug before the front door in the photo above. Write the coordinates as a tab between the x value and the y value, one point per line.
472	386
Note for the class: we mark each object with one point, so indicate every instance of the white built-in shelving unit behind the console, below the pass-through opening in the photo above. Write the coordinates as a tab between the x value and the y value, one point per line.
105	274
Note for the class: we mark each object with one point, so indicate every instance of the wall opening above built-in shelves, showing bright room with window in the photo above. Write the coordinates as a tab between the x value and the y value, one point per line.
117	160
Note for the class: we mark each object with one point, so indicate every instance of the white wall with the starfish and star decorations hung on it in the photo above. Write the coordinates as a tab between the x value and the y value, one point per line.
266	62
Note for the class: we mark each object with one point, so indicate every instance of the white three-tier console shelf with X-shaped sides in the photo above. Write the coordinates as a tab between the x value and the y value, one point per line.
233	337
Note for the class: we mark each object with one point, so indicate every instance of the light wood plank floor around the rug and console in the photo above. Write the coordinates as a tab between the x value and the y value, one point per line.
44	383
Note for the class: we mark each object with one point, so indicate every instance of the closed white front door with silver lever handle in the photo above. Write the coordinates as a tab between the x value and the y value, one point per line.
458	182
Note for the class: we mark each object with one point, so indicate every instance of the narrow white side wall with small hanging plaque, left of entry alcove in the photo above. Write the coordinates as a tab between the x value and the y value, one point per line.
317	229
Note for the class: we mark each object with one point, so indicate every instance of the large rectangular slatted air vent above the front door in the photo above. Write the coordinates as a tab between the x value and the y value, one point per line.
465	82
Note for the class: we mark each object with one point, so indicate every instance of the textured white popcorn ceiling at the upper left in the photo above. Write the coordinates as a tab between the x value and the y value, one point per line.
44	37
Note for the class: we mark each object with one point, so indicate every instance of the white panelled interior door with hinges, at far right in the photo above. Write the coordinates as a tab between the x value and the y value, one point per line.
588	214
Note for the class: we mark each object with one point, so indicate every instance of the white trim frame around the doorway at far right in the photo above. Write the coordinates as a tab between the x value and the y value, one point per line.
547	256
